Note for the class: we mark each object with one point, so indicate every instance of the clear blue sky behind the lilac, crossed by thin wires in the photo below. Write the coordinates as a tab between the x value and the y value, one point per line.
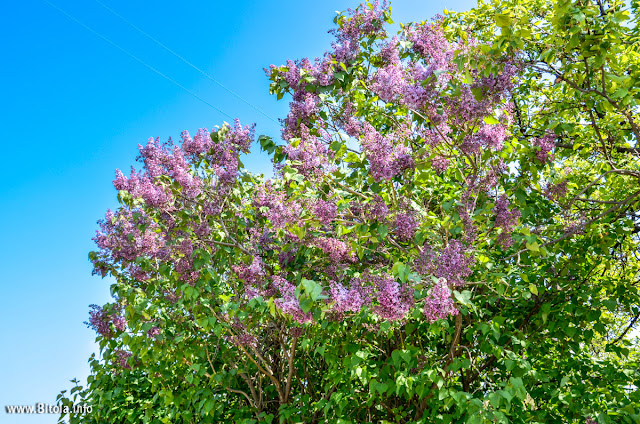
73	108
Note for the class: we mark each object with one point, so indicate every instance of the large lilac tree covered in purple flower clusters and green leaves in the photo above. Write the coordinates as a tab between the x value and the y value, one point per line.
418	257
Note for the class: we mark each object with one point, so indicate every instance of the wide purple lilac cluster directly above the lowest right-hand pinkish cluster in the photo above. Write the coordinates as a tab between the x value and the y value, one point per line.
453	263
